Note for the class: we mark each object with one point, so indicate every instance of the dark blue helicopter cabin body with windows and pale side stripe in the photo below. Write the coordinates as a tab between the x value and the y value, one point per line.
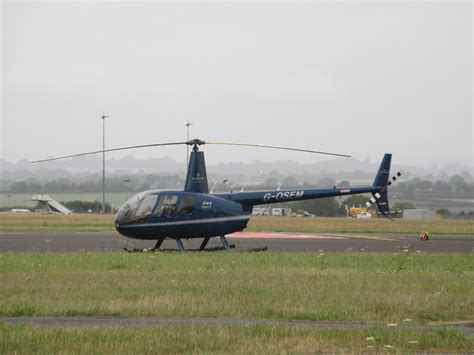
162	213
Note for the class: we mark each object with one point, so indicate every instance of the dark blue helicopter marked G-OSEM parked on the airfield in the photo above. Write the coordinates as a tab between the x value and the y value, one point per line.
194	212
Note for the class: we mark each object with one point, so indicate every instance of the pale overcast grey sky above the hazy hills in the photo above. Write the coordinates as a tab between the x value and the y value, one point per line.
357	78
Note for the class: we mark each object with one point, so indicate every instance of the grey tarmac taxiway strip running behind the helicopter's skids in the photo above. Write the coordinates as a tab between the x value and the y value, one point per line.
275	242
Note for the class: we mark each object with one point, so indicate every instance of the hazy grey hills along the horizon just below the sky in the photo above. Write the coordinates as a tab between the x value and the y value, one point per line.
338	169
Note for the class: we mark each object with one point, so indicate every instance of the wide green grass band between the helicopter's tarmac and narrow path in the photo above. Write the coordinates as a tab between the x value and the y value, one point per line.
341	286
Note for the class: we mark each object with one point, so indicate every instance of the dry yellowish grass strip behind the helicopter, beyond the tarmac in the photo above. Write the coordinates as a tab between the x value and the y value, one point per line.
15	222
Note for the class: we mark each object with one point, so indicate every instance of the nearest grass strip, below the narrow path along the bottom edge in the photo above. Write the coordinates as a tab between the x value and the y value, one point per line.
225	339
